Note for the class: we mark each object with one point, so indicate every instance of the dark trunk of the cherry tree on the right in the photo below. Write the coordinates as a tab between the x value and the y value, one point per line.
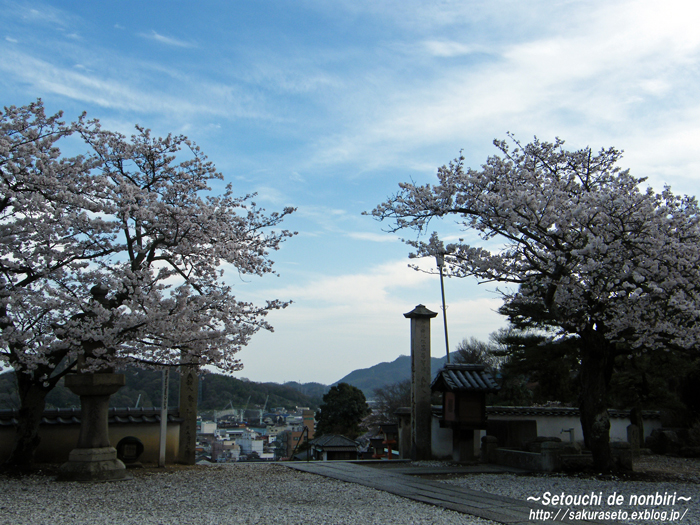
596	367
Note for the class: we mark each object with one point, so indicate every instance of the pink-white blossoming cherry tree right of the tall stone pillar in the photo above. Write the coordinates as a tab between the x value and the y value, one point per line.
583	248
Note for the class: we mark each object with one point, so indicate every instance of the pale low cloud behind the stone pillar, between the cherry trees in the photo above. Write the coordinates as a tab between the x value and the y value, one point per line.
337	324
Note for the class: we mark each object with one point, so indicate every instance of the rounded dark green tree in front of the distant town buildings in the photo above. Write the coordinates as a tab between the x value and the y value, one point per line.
343	408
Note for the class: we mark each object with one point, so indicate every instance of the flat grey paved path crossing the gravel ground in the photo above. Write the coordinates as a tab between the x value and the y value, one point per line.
397	480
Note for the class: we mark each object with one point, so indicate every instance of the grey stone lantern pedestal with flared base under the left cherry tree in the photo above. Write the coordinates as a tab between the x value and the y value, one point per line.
94	459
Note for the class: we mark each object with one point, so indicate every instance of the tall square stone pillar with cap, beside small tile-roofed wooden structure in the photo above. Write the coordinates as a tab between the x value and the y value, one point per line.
421	416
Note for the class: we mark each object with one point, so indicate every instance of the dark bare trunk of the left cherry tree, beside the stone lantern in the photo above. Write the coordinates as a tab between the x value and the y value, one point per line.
32	402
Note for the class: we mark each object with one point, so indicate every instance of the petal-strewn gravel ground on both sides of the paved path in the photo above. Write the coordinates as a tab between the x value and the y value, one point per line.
271	493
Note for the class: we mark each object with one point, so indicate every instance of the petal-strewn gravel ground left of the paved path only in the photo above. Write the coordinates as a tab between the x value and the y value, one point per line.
239	493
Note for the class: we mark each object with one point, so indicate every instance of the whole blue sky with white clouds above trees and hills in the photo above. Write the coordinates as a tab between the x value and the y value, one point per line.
328	105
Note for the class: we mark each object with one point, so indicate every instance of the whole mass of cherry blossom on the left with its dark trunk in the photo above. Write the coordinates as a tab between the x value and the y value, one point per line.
118	257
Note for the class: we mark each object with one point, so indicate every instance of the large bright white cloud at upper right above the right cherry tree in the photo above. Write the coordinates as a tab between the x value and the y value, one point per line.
604	74
